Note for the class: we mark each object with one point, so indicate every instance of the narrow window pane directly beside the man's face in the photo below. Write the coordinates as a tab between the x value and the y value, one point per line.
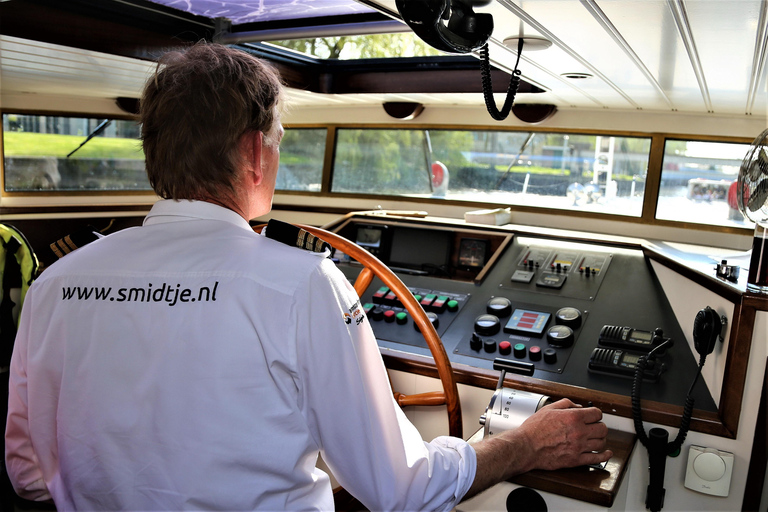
302	153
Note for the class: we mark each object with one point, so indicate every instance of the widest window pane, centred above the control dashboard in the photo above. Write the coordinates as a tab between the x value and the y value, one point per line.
604	174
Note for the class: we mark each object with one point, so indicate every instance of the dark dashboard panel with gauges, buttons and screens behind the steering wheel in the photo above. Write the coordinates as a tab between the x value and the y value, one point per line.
539	300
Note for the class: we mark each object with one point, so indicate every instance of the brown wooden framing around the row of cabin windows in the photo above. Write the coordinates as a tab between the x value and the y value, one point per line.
132	200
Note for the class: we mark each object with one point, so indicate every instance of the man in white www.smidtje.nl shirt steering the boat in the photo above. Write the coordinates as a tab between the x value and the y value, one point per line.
192	364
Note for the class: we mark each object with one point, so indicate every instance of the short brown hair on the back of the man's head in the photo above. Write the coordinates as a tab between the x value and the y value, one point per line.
194	110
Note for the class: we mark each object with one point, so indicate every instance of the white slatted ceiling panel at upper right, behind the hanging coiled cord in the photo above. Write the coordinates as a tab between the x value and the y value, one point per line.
691	56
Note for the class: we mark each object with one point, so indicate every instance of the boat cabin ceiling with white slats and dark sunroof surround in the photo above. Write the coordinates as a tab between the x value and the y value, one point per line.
692	56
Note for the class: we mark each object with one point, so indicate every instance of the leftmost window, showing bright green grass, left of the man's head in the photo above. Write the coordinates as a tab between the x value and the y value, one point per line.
52	153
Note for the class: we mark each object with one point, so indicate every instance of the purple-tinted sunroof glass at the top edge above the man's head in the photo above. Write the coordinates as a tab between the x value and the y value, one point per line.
251	11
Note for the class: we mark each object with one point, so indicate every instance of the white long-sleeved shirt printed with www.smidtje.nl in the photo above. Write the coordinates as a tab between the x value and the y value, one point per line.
192	364
